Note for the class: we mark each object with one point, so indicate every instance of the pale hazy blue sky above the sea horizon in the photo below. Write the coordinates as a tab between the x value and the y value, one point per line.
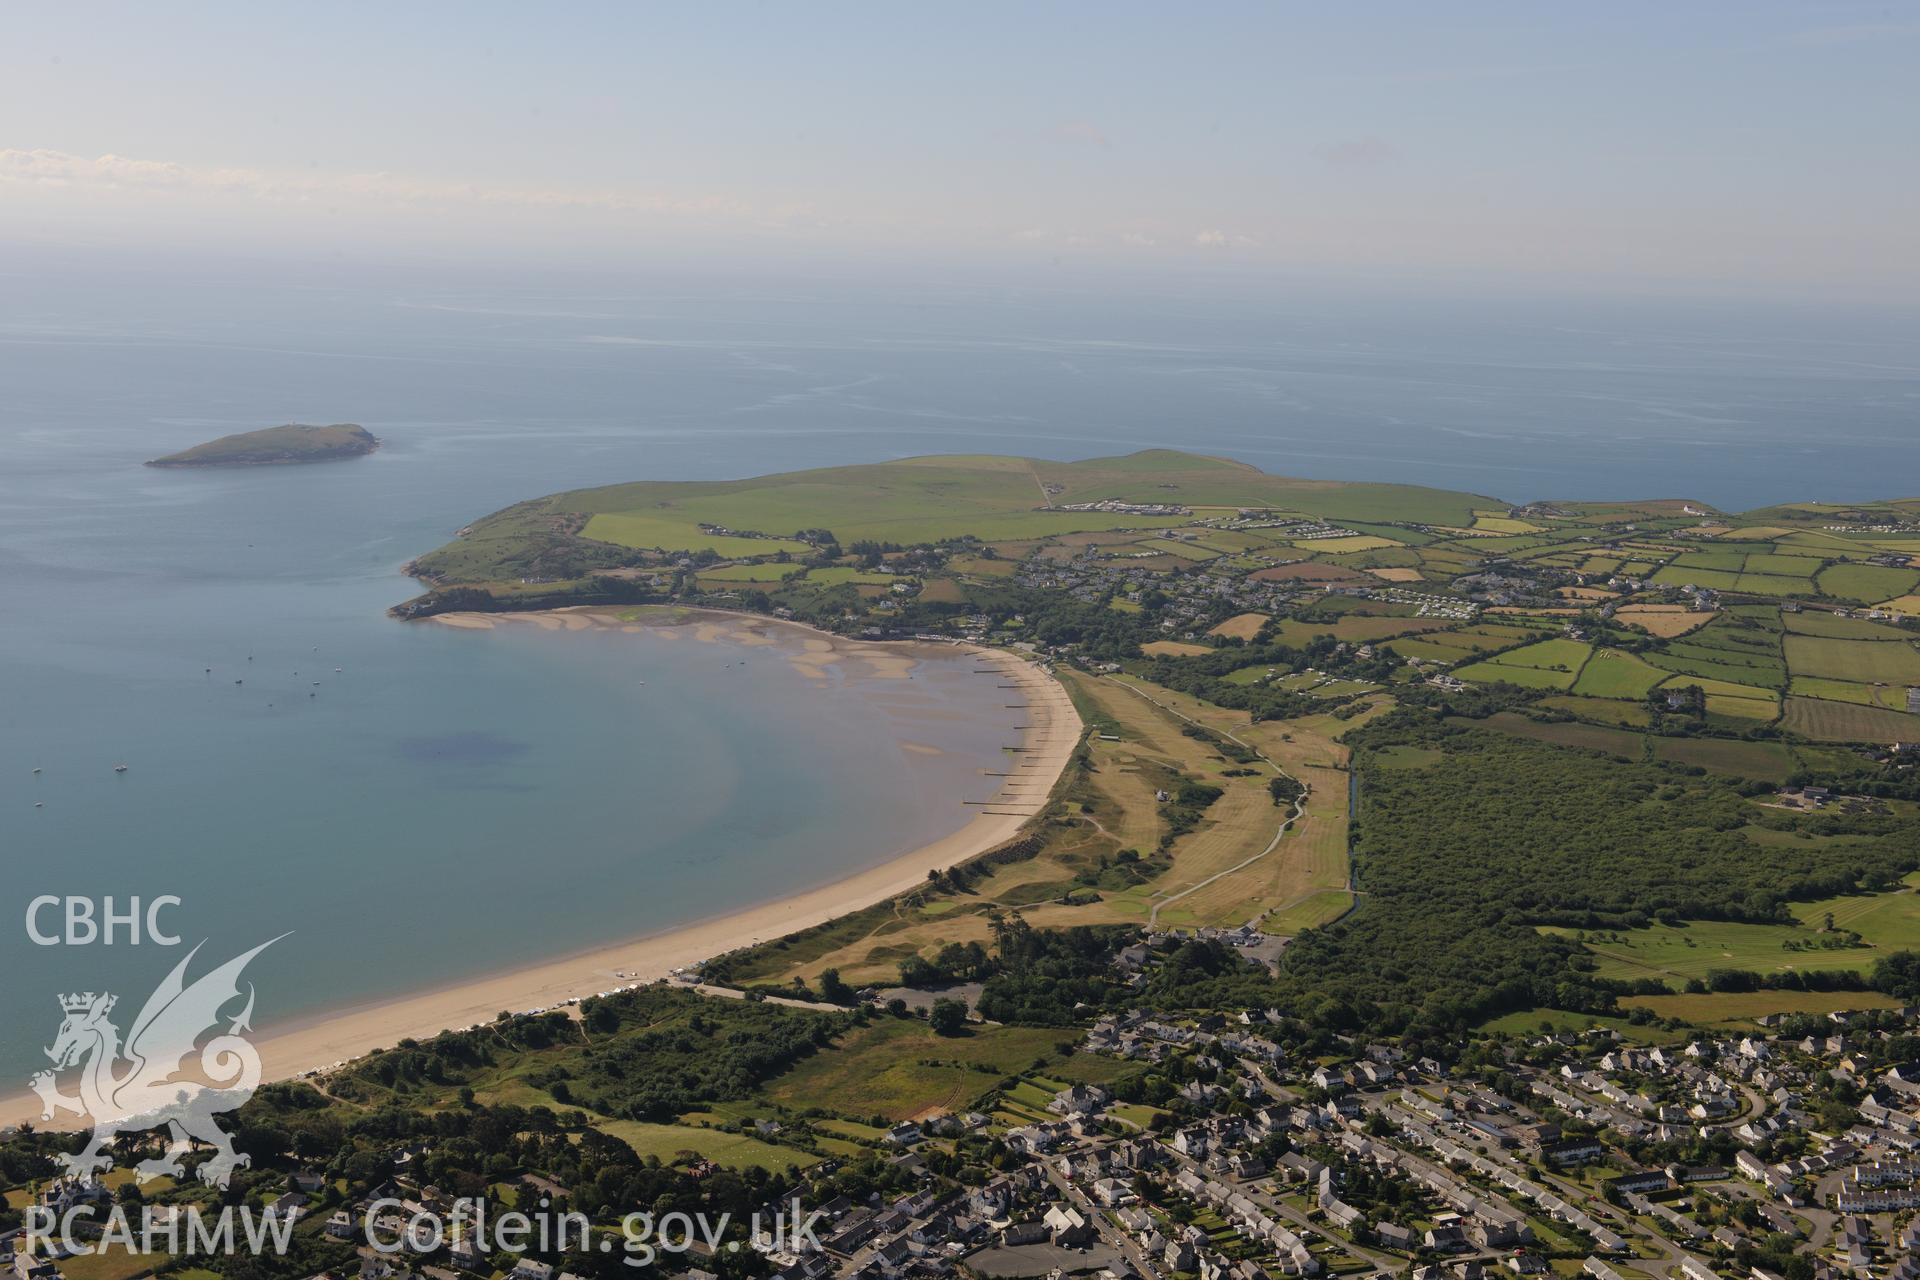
1717	147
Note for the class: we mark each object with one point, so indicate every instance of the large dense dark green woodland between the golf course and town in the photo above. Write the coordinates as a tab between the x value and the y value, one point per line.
1464	859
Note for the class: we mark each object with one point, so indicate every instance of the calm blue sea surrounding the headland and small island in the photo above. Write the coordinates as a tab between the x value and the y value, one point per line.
456	803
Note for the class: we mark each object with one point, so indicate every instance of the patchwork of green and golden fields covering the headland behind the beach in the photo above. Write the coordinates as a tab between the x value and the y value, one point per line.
1264	619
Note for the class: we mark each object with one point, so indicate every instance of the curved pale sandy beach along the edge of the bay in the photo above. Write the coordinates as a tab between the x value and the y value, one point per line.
1047	744
